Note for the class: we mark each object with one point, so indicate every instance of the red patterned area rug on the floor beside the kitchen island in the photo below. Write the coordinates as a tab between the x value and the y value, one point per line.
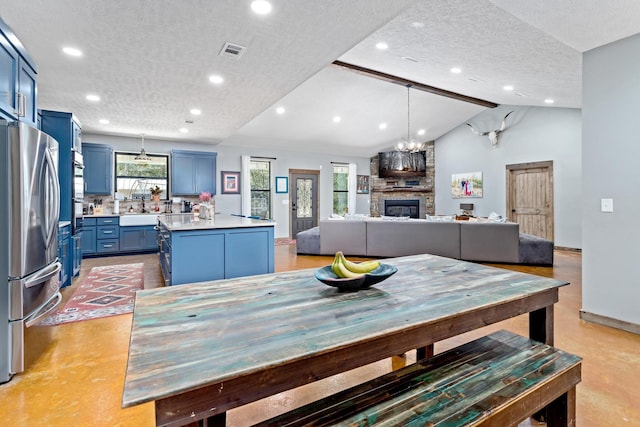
106	291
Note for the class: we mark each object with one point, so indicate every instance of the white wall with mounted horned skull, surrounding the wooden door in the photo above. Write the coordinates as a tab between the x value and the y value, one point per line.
533	134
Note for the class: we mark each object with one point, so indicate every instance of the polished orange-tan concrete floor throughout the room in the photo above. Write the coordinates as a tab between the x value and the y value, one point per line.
77	376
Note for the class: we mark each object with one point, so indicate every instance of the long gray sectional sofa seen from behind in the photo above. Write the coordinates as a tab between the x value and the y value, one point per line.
471	241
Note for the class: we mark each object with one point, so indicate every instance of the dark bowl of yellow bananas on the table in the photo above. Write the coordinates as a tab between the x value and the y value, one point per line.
353	276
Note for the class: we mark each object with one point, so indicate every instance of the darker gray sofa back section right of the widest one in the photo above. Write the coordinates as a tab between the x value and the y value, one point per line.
489	241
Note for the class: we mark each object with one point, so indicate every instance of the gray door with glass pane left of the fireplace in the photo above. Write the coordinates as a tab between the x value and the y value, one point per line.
304	200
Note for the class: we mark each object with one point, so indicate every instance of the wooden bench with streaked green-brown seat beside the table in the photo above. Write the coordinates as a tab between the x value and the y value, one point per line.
497	380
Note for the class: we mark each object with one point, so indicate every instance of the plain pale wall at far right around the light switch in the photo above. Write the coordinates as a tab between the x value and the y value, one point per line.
611	149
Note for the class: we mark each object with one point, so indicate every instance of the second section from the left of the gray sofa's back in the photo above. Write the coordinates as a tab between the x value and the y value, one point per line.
350	237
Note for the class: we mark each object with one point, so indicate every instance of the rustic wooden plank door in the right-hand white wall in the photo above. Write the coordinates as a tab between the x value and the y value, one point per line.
530	197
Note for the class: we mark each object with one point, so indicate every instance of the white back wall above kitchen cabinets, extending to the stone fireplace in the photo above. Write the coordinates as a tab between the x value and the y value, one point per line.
229	160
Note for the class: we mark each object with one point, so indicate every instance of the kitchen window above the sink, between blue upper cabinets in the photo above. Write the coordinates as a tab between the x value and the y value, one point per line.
135	179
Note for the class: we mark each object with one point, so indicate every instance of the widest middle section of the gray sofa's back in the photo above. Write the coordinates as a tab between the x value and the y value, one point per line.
400	238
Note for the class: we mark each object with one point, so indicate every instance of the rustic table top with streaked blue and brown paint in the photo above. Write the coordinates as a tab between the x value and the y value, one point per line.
190	336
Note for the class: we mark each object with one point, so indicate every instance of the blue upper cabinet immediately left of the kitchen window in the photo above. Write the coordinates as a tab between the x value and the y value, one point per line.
98	172
